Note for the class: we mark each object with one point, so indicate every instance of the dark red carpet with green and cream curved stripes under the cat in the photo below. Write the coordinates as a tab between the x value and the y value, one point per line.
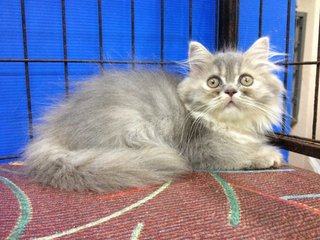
268	204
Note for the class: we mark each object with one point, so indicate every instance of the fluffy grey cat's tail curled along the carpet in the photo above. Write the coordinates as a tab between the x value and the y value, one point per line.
102	170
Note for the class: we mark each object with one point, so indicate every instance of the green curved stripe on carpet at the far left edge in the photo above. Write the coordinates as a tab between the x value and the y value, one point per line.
25	209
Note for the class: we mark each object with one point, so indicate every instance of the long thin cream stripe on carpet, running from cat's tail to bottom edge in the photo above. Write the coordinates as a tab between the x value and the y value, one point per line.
107	218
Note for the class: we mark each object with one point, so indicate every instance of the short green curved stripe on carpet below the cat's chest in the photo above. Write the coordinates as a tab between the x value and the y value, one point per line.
234	207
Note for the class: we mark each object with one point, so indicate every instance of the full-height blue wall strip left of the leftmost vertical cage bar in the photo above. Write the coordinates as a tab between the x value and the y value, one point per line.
13	100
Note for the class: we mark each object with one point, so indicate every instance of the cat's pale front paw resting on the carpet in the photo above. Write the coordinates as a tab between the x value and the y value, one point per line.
267	157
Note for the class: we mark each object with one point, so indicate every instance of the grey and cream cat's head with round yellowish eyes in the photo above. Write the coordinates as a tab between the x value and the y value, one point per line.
234	89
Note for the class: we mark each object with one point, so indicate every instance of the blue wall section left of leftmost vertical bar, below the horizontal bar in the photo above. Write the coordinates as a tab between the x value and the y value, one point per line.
13	109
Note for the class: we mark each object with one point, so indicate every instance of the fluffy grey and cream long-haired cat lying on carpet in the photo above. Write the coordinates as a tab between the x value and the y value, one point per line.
129	129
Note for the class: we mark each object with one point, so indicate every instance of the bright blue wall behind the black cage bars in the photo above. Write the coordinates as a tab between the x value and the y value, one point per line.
45	41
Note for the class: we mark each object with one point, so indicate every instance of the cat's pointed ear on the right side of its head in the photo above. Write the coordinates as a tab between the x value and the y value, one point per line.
259	49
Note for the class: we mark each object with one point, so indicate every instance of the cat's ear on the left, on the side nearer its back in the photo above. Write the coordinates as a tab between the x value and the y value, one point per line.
199	57
